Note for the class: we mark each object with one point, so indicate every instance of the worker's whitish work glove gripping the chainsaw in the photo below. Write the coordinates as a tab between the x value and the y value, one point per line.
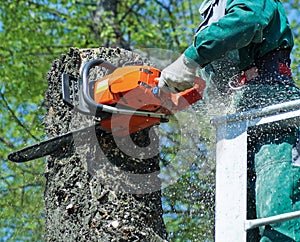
178	76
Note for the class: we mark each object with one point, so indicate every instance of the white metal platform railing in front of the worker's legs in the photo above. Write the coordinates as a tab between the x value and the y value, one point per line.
232	133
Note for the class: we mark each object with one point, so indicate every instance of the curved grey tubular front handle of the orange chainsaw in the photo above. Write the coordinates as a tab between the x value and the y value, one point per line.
95	108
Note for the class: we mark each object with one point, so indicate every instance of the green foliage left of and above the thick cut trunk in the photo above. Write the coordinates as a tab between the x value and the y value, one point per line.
32	35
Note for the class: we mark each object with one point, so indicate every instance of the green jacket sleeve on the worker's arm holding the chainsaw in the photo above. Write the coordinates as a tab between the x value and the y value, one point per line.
243	23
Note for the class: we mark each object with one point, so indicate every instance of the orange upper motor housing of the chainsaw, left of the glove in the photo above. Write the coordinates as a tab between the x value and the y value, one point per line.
129	86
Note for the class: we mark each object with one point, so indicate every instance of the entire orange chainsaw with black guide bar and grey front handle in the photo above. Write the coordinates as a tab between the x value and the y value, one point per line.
124	101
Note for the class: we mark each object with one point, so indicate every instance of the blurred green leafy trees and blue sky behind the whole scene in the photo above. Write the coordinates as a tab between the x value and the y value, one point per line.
32	35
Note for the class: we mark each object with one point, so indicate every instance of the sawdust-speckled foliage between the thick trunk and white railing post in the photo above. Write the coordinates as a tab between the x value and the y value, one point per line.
187	161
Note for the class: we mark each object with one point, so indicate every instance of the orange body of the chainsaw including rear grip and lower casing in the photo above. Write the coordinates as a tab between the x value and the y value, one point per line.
135	87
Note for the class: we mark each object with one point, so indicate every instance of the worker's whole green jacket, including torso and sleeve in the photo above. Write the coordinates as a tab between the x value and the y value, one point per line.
252	27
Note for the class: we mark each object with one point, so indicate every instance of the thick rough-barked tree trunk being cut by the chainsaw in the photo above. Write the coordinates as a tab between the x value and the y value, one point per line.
101	190
